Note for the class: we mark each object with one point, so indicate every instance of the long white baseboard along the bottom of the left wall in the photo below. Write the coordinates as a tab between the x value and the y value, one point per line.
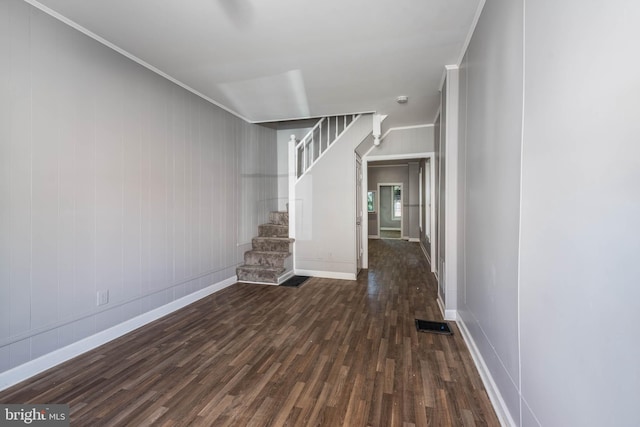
49	360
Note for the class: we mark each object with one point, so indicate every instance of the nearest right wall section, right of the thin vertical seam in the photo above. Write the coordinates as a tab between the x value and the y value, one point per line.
579	270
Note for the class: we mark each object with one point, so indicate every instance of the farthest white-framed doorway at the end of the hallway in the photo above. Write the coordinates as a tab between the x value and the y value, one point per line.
390	210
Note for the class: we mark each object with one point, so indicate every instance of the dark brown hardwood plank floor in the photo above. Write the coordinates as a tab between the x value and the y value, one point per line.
330	353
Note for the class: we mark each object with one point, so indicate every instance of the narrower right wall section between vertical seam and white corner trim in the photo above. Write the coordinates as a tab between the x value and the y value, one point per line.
490	137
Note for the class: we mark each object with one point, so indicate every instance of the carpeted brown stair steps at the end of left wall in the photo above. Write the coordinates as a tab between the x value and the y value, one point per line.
269	261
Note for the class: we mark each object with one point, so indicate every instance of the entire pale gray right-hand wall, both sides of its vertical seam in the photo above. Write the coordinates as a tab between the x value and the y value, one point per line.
551	208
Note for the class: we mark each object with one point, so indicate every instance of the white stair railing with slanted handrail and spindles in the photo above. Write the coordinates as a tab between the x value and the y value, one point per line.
318	140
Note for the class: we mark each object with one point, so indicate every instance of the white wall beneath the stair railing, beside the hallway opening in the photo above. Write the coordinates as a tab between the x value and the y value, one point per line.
325	209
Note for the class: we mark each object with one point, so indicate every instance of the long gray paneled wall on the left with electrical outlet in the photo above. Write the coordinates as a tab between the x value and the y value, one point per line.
111	178
